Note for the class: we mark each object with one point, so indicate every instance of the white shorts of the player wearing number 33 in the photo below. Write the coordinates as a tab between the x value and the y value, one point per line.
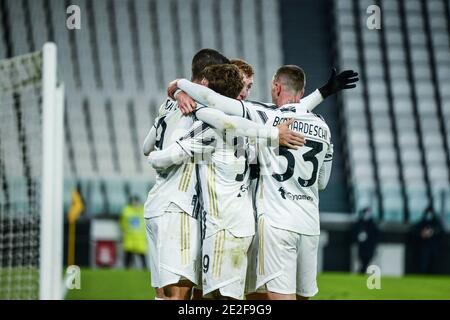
287	261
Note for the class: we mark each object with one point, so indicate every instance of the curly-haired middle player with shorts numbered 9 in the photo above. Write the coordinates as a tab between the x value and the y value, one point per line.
228	221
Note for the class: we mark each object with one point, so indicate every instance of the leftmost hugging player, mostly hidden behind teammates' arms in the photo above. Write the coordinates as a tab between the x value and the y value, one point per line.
172	228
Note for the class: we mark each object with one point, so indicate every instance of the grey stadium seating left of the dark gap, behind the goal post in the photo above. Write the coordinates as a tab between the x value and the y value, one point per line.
116	68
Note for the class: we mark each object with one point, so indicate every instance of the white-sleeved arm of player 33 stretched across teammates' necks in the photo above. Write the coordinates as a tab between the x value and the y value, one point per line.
211	98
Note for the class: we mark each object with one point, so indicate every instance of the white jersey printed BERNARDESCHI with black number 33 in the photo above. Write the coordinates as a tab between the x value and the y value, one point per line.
287	191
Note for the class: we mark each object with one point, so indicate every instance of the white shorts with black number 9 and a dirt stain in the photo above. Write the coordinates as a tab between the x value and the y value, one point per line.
224	264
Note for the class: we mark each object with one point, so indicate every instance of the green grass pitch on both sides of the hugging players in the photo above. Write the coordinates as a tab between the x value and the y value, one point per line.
134	285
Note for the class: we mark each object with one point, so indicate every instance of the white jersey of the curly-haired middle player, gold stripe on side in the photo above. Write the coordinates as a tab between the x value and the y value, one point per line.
224	179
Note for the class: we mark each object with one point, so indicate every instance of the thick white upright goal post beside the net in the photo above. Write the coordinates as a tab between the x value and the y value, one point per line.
51	233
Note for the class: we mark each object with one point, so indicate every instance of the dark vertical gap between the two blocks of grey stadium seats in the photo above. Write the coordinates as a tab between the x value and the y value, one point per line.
310	22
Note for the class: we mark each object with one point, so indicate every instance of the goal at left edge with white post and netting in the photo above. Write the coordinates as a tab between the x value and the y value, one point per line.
31	118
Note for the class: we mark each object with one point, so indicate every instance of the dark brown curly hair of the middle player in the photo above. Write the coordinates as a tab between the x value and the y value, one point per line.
224	79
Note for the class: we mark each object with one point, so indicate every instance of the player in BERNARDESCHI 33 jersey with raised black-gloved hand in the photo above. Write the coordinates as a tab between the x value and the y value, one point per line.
287	202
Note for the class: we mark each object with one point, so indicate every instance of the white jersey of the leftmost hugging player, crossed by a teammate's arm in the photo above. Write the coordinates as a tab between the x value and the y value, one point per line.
177	184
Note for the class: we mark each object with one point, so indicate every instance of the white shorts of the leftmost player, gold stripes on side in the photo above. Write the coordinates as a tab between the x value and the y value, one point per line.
174	248
